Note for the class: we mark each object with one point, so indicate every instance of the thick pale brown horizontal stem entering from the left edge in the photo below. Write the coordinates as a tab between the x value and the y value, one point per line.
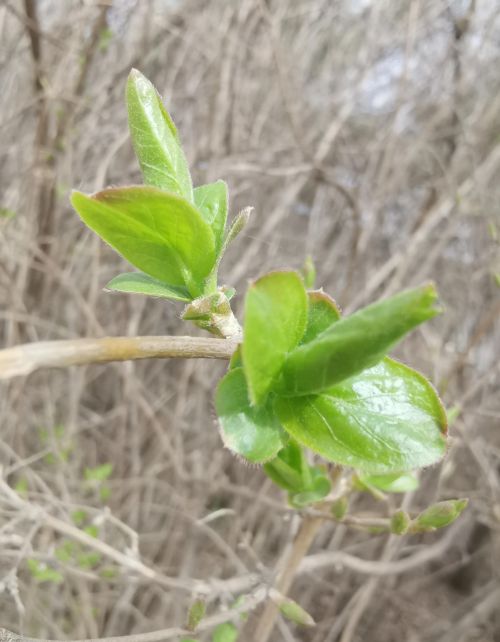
26	358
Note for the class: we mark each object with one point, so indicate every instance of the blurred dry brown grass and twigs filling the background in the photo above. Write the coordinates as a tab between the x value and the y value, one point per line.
363	133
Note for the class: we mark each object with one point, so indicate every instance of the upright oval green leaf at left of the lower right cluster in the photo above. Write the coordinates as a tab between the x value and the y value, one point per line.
275	320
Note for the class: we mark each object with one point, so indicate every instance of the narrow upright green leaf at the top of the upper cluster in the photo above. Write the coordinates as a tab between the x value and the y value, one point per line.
155	139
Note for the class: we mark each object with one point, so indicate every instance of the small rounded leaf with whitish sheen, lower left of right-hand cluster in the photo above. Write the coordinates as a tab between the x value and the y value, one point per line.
250	431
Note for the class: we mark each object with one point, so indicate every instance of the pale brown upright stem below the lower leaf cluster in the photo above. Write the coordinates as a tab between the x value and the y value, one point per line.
288	567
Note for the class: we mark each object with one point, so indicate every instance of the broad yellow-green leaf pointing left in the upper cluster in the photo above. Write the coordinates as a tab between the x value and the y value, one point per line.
160	233
